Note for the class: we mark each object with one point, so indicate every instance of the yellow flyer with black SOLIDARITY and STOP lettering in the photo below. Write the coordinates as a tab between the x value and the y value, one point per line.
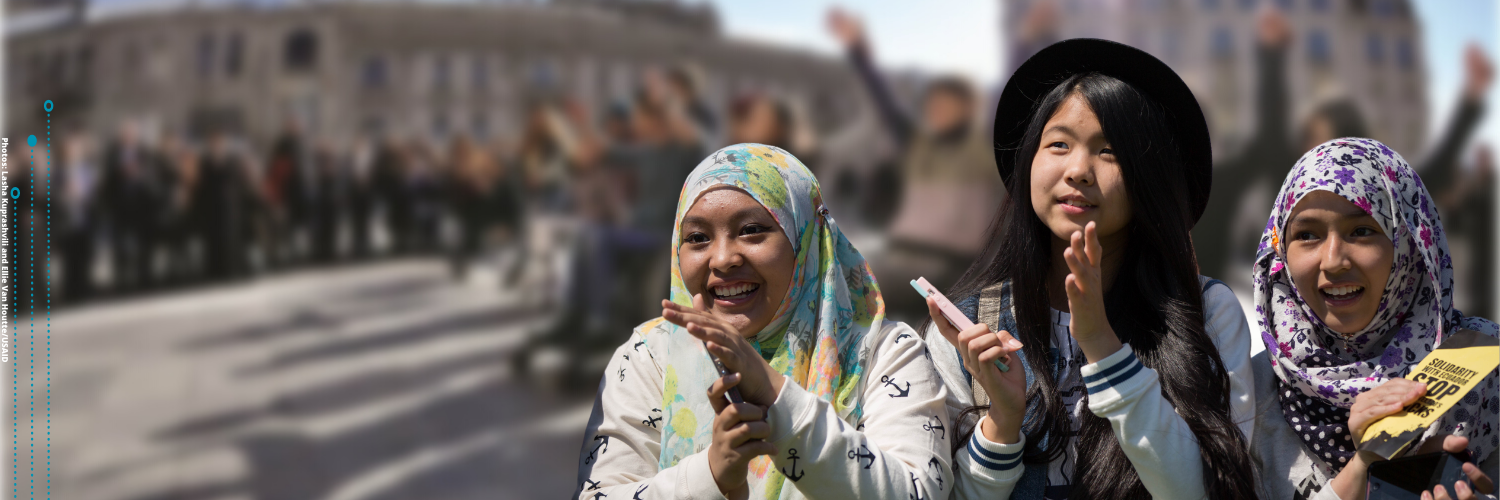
1450	373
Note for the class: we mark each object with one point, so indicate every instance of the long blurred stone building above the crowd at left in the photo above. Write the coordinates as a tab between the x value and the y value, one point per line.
421	70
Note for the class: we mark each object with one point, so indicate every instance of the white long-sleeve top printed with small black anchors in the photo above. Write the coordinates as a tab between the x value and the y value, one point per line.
899	448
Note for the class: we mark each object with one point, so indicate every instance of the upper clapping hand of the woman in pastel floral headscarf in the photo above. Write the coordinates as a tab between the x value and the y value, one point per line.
761	384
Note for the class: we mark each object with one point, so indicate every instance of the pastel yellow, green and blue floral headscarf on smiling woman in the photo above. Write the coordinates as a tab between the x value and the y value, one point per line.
818	336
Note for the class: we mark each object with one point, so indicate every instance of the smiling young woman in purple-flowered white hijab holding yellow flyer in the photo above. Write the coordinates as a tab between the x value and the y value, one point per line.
1354	288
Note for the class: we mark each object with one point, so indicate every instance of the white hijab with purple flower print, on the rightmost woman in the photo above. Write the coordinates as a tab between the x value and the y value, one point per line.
1321	372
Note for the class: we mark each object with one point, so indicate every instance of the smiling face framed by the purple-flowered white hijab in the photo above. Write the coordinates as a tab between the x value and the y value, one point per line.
1340	261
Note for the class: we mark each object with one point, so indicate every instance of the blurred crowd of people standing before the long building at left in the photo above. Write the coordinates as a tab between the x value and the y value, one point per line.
578	190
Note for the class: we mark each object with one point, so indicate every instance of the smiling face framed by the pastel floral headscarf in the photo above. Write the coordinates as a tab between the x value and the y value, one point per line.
736	255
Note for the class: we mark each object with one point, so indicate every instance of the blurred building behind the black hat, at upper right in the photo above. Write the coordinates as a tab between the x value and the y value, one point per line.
1366	50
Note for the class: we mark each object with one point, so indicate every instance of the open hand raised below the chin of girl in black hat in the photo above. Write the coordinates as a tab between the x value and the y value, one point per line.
1085	286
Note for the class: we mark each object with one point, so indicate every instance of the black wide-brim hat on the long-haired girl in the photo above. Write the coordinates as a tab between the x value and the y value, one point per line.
1051	67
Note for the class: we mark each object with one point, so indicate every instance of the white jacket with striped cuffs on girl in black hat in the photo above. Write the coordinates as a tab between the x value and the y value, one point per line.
1121	390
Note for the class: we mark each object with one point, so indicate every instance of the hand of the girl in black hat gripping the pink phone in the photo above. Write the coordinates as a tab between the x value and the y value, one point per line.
980	349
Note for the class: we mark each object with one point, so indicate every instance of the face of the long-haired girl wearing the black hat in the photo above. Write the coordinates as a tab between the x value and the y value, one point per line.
1076	178
